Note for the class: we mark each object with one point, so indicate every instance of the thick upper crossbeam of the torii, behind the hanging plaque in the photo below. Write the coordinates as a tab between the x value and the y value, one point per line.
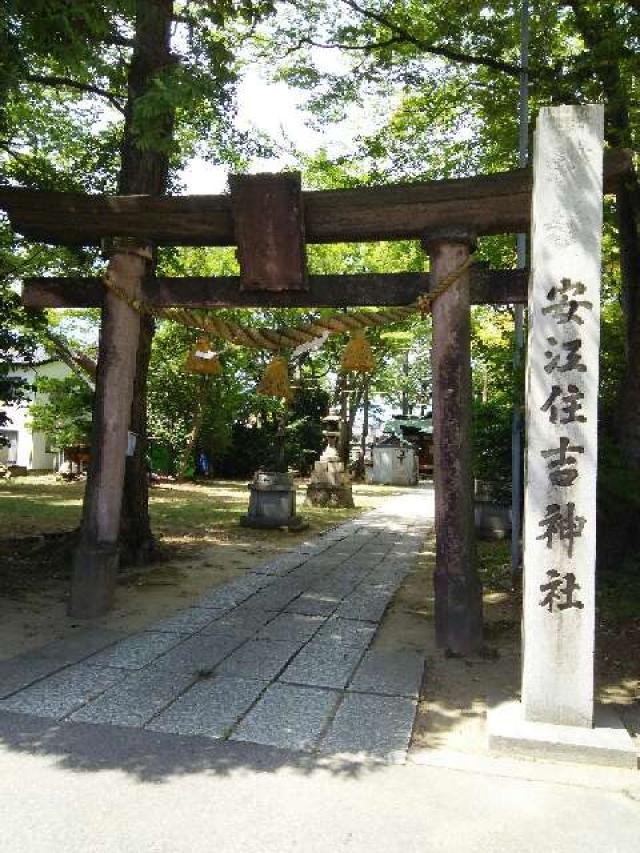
487	204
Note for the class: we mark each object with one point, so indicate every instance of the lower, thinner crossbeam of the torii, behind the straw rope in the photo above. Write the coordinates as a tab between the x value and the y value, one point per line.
488	287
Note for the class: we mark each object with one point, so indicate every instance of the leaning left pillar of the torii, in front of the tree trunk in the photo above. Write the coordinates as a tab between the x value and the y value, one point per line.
95	564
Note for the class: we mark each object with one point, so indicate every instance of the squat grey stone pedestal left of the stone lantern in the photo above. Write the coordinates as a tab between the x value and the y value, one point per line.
272	502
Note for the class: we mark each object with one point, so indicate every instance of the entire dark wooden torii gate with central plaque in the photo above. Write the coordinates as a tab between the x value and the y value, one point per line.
270	220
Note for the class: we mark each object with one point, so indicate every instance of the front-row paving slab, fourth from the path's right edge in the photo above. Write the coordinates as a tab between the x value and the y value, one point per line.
135	700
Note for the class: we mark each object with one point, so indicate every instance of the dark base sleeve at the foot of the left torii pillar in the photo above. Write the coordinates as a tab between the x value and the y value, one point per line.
95	569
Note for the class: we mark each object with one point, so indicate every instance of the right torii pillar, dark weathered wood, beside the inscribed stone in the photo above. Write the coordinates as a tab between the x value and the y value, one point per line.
458	592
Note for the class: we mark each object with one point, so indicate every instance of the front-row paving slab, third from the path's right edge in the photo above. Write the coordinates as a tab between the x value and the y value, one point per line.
210	707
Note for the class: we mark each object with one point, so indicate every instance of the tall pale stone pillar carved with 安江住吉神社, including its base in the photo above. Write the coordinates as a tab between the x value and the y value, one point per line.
556	716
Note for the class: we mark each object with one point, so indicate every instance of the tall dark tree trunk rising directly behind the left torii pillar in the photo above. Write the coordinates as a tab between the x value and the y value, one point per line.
144	170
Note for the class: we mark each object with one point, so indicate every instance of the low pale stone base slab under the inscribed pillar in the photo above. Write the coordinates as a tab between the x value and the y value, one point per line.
607	743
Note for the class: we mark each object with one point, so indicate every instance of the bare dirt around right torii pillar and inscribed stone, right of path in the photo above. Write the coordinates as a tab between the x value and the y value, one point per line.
457	693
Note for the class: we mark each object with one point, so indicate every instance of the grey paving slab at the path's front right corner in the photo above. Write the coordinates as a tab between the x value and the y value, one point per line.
374	725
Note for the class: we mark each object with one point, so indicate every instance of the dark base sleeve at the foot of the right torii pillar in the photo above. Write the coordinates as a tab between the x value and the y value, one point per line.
458	613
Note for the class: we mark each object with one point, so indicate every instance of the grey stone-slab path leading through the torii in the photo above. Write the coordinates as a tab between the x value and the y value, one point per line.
282	656
